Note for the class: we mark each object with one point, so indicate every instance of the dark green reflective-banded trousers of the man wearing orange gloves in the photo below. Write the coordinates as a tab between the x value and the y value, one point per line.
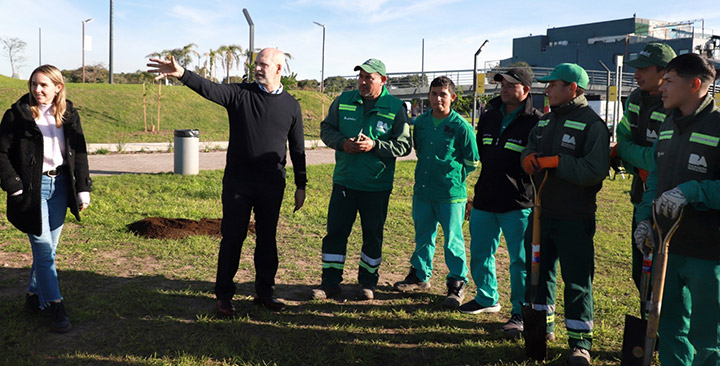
571	243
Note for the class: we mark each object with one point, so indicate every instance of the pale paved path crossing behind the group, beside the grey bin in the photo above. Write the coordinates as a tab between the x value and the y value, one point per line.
138	163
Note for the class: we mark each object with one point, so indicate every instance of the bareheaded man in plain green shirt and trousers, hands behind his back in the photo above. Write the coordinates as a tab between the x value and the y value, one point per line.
447	152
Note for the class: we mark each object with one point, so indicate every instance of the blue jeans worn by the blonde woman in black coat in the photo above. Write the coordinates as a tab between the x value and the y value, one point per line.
53	206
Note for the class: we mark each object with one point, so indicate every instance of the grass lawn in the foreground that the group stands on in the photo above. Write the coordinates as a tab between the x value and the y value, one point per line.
143	301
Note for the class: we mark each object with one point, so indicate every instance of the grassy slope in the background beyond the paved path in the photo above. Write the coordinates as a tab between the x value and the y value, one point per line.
114	113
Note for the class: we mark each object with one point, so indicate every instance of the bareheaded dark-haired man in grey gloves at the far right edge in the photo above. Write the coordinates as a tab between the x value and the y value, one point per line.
687	174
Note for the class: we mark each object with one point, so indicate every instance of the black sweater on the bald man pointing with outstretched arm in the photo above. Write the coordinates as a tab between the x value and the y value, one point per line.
261	124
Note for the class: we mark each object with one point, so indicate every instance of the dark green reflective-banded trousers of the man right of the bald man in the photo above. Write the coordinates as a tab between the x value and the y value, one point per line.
345	204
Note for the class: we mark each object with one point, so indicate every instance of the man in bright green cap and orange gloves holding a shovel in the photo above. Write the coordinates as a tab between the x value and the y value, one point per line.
572	142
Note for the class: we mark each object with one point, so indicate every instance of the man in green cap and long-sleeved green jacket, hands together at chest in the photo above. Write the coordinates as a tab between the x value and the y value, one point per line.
368	128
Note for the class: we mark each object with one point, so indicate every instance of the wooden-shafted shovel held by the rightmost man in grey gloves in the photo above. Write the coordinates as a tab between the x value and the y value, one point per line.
639	345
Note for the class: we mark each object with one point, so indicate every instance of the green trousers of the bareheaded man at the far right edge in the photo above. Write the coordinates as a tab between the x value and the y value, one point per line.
689	330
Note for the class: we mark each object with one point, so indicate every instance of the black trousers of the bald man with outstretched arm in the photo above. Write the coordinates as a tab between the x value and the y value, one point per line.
239	198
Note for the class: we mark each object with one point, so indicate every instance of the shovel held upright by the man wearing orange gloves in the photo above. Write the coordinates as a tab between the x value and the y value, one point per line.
535	321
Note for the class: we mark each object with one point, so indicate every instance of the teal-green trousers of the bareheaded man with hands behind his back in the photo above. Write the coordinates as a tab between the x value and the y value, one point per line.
427	215
